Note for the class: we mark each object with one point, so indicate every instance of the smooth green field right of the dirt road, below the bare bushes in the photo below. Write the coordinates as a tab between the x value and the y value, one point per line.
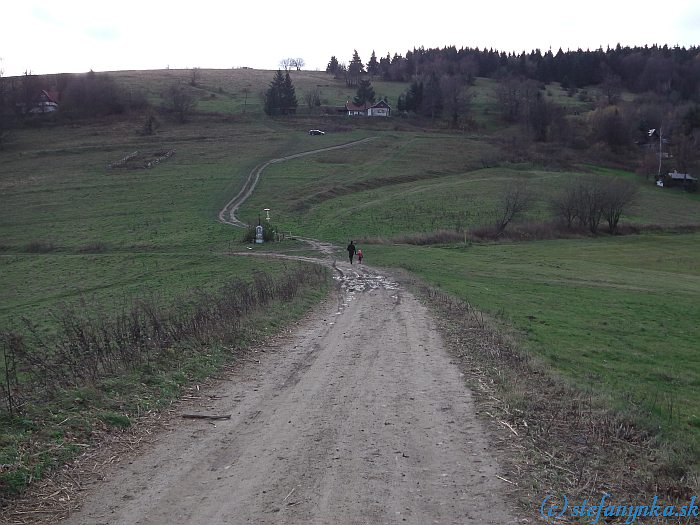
612	314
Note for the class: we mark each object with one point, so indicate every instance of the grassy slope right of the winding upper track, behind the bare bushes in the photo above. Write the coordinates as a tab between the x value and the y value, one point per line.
387	189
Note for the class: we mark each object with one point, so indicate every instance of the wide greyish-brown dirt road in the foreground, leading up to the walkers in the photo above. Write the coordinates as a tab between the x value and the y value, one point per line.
357	416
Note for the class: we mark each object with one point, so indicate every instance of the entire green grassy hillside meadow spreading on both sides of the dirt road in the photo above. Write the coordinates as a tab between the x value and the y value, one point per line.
109	225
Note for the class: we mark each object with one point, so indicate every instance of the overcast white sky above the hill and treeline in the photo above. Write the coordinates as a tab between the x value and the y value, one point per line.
76	35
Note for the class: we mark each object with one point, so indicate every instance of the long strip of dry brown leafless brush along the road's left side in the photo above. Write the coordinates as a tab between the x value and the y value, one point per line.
90	344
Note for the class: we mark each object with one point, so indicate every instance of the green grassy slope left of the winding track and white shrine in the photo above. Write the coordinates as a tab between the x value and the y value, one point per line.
70	227
